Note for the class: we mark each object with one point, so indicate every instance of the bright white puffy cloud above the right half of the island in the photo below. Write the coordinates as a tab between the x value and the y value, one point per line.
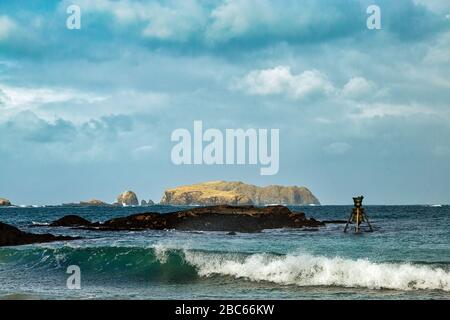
280	80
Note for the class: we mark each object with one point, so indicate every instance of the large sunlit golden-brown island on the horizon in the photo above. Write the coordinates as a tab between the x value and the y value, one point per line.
237	193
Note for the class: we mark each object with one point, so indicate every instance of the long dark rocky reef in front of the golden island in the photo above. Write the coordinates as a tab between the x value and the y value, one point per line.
215	218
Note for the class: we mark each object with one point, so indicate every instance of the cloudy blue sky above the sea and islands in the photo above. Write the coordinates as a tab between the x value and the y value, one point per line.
89	113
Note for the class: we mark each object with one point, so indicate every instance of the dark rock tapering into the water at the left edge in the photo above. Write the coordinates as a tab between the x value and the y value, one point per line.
11	236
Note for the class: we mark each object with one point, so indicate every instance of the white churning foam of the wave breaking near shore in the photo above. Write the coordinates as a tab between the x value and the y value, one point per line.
307	270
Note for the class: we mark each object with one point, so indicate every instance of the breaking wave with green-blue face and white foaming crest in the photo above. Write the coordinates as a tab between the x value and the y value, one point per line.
160	263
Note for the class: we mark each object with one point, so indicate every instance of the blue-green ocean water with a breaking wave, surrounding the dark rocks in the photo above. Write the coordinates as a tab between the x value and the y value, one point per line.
406	257
